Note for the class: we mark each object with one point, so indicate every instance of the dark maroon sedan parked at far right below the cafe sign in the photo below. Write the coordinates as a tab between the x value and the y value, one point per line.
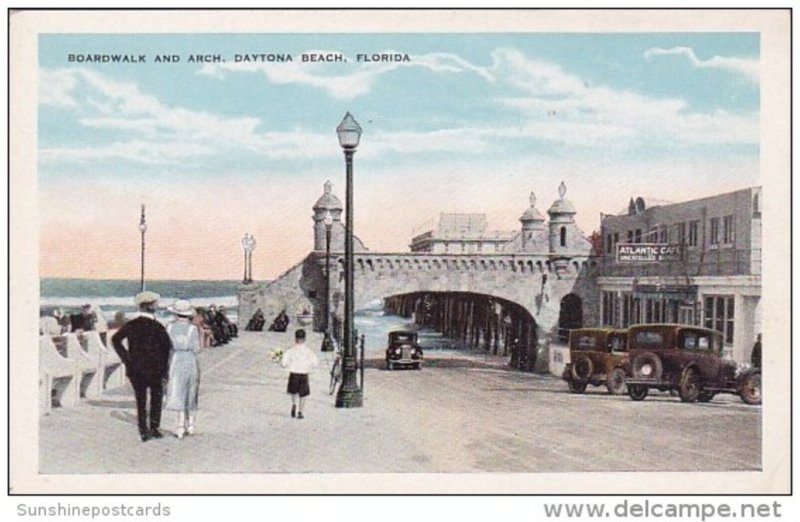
687	359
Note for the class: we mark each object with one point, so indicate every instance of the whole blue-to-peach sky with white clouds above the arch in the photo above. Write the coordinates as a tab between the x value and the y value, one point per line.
469	123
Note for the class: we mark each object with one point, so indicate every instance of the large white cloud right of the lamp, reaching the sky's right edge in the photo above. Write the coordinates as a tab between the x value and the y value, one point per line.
563	108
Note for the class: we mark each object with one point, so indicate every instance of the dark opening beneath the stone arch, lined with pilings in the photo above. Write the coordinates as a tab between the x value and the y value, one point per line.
473	321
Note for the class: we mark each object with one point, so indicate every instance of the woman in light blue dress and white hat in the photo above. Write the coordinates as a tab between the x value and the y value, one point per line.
184	369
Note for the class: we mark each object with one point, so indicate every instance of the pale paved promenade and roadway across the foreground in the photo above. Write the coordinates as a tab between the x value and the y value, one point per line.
461	413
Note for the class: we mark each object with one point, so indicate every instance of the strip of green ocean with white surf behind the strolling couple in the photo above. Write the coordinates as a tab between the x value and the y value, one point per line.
111	295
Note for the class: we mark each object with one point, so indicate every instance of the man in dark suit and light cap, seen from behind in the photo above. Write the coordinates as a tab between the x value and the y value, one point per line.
146	361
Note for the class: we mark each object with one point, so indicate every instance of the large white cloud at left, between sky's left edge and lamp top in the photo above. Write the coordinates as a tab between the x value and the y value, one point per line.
152	132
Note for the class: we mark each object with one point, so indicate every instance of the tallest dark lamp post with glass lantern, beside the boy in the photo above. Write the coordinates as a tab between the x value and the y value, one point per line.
349	395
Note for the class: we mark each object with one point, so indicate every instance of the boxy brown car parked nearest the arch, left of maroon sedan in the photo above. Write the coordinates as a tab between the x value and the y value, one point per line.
597	356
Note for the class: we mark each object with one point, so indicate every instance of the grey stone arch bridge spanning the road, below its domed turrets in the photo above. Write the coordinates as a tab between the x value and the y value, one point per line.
540	293
